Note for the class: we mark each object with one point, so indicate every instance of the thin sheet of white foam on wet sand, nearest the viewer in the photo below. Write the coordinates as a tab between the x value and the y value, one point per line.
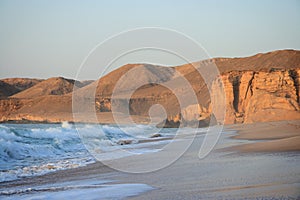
93	189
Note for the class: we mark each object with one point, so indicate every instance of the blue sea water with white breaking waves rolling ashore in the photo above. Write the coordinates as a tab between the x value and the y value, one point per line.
36	149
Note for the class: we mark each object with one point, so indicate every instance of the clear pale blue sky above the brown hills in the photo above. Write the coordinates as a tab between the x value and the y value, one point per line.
42	39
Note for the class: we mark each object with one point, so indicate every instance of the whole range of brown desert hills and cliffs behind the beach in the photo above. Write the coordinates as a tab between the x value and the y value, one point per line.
263	87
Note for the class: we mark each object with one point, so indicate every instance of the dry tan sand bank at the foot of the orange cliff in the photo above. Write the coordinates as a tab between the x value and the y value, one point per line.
269	136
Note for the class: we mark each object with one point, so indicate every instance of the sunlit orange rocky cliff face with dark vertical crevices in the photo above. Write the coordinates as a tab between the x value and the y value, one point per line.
261	96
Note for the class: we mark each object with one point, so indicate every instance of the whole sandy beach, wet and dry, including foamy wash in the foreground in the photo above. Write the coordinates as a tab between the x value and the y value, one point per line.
252	161
